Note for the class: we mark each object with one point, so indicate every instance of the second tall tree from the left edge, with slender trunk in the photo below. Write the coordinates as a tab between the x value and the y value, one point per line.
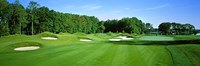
17	21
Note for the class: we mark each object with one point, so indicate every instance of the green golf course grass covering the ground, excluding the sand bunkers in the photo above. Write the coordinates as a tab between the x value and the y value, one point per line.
69	51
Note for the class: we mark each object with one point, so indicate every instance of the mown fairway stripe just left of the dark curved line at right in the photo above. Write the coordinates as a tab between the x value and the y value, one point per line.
155	55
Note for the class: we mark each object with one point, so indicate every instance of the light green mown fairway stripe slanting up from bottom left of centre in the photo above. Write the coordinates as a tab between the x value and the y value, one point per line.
72	57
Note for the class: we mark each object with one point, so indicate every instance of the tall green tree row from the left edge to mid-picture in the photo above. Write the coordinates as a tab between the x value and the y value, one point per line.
34	19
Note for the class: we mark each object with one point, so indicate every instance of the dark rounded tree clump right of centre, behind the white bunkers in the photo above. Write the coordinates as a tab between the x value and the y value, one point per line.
128	25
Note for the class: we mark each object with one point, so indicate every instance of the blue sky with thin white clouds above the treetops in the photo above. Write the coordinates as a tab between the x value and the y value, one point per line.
149	11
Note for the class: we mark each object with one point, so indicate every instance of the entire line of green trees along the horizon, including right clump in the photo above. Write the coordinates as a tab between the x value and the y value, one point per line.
34	19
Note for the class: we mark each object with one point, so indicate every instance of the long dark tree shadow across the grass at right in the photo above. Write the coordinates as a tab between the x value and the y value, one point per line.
176	42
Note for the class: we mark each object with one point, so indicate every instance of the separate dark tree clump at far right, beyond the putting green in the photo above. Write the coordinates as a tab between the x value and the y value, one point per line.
173	28
